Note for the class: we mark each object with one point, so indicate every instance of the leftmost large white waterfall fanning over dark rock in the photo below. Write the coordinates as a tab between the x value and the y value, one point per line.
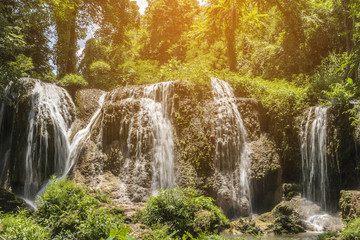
51	115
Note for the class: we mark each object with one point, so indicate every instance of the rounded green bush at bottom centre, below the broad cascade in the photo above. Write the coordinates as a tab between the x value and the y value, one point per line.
183	210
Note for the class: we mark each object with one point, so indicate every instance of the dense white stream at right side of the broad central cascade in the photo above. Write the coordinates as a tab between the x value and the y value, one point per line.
154	114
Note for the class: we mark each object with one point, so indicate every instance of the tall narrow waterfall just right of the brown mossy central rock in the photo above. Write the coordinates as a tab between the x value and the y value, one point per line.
232	160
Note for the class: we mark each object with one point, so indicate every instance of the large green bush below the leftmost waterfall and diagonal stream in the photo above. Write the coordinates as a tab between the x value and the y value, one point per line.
69	212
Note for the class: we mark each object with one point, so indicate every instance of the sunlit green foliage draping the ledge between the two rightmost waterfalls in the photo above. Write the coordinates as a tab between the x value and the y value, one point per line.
282	100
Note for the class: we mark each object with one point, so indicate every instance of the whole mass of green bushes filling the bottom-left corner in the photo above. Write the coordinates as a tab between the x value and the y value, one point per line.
65	211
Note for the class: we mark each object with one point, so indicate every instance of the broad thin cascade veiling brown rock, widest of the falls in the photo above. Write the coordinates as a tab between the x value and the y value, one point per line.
137	139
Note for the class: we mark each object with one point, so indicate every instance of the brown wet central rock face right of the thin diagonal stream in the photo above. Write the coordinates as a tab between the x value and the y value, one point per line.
119	156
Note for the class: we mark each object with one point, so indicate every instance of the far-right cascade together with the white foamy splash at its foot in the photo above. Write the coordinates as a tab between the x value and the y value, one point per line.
314	172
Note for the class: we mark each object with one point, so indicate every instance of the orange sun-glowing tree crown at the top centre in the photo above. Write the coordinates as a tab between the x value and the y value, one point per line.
166	22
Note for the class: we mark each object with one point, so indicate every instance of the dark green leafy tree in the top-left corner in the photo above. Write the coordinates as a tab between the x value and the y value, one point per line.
23	41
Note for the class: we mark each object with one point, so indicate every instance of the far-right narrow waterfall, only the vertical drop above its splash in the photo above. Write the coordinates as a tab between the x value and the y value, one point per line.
313	154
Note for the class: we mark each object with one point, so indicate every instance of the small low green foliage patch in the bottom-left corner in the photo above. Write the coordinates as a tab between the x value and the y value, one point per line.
21	226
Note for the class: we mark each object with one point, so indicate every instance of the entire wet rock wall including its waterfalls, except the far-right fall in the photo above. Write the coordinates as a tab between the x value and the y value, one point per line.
143	138
